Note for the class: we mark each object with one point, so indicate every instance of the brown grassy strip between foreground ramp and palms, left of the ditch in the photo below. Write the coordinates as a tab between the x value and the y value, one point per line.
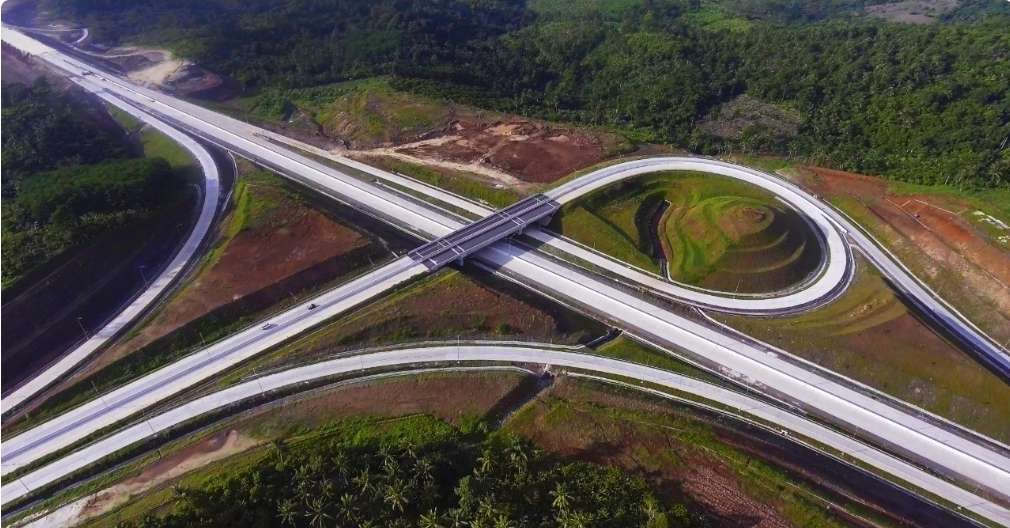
460	400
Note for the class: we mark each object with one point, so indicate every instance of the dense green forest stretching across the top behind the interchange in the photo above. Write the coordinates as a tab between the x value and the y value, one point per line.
920	103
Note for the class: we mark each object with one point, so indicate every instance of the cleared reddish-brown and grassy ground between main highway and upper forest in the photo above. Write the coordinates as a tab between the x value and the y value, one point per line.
370	120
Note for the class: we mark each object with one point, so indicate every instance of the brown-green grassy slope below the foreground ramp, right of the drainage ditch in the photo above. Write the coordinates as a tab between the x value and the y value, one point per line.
666	446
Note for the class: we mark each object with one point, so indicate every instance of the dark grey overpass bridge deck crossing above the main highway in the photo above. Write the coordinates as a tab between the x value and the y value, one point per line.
486	232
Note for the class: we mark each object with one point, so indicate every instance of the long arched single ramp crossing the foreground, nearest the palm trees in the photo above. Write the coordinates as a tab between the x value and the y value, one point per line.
542	355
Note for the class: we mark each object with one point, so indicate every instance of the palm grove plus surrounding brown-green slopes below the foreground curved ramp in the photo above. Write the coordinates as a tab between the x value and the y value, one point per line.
683	471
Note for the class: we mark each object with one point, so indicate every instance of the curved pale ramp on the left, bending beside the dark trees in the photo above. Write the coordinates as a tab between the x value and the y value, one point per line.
154	291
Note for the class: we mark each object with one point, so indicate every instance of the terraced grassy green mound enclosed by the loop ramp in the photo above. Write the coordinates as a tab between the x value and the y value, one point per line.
698	230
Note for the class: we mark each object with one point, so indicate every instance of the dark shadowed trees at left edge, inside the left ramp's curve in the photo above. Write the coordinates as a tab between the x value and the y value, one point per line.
68	177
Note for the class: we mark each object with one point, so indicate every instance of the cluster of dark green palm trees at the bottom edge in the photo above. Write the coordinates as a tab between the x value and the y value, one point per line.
425	474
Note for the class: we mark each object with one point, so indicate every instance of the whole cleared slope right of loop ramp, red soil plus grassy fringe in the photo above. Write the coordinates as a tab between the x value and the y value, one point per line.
958	242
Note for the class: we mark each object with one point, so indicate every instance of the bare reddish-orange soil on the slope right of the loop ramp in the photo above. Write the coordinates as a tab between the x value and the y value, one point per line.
946	249
